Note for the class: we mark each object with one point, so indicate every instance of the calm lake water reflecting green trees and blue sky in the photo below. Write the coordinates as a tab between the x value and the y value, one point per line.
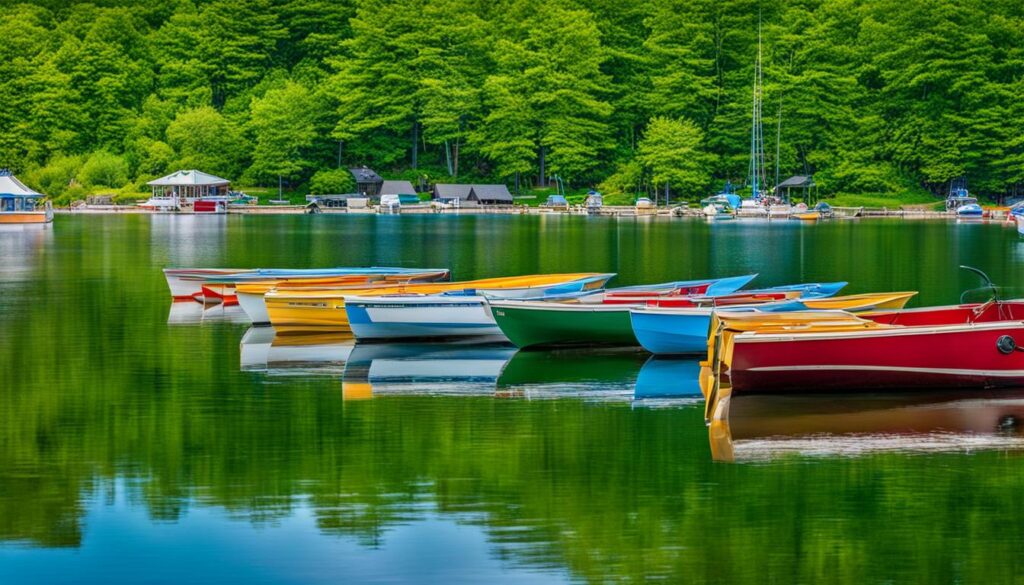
146	443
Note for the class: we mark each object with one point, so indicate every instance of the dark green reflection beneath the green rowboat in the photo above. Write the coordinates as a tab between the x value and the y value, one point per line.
607	374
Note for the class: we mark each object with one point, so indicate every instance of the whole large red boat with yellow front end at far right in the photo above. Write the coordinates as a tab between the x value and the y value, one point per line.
959	347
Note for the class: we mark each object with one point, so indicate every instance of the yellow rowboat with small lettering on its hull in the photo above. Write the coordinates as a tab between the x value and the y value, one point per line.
327	308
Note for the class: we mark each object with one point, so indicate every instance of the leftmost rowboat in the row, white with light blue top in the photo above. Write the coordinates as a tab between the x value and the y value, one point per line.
187	284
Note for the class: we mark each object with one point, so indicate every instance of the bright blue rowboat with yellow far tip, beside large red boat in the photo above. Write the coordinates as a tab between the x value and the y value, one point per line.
668	331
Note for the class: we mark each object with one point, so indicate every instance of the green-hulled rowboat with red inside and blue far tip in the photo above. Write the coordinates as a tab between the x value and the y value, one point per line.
542	324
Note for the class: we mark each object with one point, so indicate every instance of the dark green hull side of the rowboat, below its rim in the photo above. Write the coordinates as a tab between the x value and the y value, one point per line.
540	324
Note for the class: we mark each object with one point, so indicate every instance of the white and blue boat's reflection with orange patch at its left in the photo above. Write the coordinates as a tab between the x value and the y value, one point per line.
465	368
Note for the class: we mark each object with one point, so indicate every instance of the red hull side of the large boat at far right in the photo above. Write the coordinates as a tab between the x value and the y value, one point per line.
915	358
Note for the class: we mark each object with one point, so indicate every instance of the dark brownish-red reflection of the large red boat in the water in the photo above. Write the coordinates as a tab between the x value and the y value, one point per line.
758	428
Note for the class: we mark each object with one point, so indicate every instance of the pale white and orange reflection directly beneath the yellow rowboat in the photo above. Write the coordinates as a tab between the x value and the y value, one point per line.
307	354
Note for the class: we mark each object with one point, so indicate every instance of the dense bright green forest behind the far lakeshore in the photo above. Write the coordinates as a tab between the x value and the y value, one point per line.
871	97
